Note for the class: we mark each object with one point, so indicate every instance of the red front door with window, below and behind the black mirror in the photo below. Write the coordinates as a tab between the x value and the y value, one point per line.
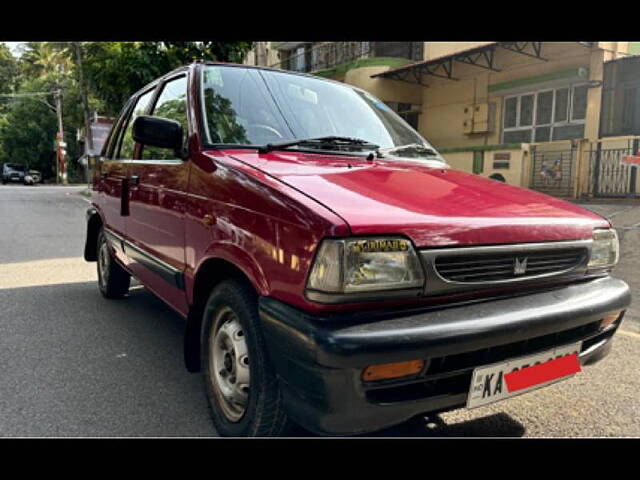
157	182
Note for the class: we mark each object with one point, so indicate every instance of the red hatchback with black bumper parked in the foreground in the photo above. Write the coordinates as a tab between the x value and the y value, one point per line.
333	271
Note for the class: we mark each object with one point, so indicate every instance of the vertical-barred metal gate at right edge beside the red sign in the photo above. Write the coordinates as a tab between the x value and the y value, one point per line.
609	176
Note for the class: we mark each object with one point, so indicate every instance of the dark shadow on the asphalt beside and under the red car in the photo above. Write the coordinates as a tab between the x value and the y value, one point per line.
92	367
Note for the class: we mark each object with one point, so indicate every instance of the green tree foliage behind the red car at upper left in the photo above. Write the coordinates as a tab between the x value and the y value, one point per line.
113	72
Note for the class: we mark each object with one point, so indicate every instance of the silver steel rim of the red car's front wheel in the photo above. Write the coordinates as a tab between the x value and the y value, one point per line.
229	364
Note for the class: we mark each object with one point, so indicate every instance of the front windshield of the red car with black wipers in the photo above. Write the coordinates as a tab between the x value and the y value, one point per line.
245	106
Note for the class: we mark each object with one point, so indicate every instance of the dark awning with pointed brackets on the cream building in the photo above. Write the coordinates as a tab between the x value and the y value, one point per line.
482	57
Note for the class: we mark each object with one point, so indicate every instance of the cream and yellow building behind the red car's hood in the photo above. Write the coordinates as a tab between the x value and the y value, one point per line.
528	113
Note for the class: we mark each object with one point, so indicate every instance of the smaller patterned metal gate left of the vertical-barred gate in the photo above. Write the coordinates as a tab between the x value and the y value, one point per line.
552	171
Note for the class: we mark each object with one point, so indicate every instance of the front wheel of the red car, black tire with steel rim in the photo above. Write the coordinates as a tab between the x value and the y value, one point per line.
231	317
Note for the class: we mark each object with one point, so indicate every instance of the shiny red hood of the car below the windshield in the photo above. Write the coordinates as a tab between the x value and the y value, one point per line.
434	206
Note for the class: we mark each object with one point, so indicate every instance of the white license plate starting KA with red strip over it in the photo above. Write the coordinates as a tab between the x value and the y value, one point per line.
492	383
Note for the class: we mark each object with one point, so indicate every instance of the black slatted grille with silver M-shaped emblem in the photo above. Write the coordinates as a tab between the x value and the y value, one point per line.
480	268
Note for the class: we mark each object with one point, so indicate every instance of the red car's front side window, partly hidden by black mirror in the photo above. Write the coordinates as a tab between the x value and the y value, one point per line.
172	104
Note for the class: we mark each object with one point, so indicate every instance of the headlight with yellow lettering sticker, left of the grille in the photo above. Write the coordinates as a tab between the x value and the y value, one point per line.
365	265
